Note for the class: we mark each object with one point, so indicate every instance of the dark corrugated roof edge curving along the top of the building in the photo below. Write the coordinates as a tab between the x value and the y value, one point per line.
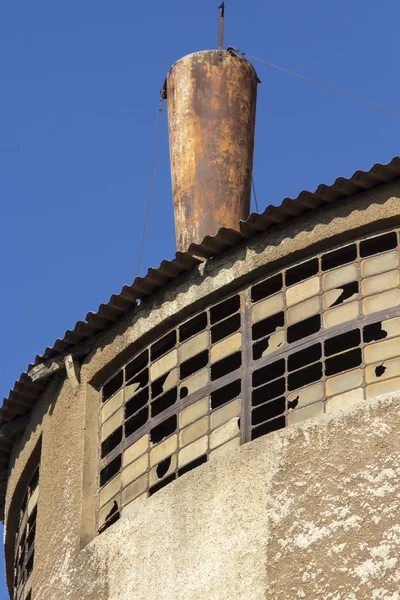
24	393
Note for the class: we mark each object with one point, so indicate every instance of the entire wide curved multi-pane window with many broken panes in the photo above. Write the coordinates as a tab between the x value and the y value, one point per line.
314	345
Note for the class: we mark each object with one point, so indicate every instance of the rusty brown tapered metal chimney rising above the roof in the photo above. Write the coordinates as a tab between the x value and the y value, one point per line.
211	117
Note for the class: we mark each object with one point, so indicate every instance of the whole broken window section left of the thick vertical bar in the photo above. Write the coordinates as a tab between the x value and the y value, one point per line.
159	397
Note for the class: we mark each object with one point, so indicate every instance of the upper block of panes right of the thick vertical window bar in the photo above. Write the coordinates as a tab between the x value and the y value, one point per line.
276	322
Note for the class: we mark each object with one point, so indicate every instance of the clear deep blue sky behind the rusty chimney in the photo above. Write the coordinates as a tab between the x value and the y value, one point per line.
78	112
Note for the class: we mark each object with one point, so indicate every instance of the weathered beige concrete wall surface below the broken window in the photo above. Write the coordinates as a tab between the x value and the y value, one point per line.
308	512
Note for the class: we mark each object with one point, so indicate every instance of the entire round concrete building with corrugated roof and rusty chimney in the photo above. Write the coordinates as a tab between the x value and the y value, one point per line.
226	427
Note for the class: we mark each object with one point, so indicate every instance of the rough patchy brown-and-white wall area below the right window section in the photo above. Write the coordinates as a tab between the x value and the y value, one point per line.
340	540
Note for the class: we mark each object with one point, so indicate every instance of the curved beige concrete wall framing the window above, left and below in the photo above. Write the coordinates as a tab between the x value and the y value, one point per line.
233	549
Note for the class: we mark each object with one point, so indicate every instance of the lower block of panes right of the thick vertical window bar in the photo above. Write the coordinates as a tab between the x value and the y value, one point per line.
326	371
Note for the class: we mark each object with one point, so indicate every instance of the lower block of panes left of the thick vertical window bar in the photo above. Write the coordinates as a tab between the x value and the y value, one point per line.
186	440
